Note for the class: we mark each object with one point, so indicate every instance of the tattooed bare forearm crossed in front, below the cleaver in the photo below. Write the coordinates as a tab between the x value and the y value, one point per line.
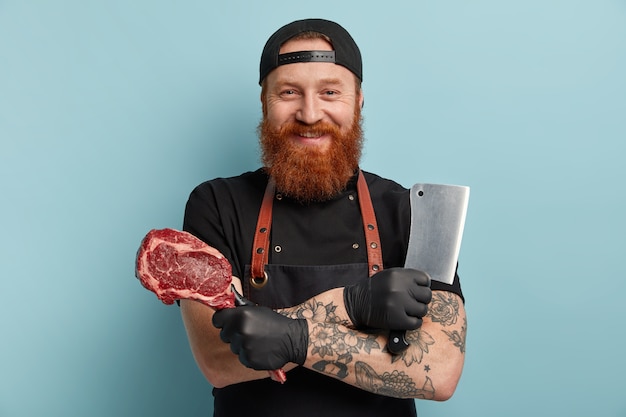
428	369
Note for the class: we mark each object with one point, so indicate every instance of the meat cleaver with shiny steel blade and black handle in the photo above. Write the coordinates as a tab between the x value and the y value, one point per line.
437	219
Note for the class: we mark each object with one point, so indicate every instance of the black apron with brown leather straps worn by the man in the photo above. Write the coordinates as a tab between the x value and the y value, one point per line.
306	393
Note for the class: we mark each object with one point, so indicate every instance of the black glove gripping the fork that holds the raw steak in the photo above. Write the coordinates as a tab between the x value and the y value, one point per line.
262	338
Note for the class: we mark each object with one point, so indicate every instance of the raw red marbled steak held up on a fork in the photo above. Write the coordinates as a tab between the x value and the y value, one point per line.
176	265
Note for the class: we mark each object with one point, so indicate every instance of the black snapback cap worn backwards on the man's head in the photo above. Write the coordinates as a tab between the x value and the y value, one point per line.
346	53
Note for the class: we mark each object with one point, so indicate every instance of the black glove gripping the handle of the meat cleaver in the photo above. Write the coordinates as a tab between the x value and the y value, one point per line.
395	298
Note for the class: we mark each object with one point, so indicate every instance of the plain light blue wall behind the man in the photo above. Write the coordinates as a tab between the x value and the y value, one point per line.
112	111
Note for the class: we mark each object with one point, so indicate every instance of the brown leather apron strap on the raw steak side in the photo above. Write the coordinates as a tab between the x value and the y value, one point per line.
261	243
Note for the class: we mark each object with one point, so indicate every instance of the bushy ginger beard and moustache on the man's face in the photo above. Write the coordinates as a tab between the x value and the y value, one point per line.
304	172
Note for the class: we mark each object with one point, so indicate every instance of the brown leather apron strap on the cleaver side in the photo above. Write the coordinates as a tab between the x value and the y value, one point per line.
372	239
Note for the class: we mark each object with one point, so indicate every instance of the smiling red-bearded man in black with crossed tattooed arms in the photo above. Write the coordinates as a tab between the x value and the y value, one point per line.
317	248
